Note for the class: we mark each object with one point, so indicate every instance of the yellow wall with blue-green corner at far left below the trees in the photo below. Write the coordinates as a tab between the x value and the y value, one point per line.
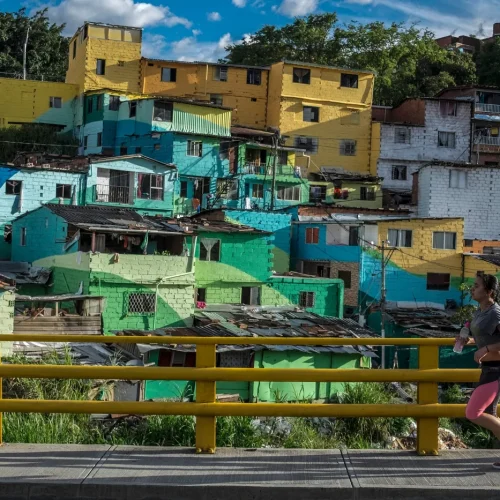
28	101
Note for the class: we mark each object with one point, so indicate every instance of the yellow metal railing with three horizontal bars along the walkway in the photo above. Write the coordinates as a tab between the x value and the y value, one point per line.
427	411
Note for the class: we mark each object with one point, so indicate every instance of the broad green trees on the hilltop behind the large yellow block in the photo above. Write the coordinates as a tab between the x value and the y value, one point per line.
406	59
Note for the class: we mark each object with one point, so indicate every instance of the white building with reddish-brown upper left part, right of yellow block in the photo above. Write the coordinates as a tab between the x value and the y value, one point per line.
419	131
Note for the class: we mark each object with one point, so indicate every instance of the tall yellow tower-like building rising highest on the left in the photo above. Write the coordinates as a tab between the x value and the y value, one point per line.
104	56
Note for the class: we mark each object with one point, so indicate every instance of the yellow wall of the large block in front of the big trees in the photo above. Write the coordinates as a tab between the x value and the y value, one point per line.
345	113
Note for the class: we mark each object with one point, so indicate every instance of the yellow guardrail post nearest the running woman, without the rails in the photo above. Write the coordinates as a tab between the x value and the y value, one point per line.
427	428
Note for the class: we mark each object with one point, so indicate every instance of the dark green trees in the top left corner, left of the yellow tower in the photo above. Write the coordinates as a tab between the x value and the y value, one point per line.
47	53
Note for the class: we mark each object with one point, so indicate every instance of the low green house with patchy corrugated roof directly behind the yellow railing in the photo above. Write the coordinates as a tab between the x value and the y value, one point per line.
260	322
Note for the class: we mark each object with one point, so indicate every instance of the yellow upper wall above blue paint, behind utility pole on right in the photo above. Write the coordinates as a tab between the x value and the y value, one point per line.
435	261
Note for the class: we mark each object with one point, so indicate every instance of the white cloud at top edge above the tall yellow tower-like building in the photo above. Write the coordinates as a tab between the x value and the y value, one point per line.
125	12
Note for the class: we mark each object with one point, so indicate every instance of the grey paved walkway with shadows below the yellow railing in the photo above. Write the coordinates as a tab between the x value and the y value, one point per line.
60	472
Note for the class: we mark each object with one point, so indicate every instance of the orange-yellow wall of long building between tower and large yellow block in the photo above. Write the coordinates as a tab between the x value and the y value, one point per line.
197	81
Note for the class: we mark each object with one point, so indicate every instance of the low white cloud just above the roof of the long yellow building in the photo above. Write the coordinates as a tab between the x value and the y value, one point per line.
186	49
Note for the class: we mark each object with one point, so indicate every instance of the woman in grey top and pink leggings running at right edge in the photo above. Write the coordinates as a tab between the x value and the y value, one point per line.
485	328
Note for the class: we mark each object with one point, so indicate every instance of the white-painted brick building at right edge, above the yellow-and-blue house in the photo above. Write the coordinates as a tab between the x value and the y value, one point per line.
468	191
